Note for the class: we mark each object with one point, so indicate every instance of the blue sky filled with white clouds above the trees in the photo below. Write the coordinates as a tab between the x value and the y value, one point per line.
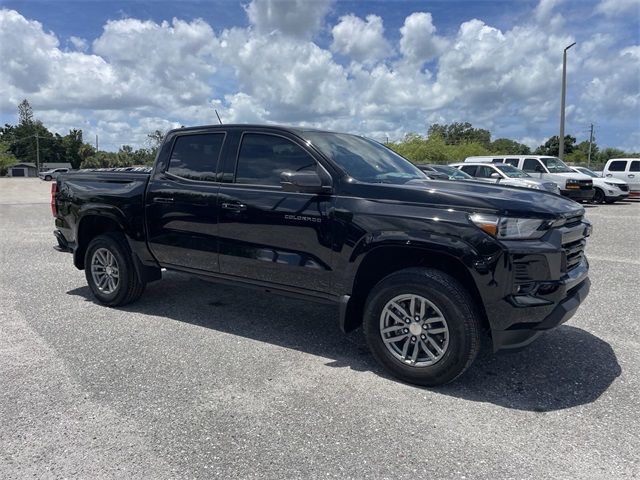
121	69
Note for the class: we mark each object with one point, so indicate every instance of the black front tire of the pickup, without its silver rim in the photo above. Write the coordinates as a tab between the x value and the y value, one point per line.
457	307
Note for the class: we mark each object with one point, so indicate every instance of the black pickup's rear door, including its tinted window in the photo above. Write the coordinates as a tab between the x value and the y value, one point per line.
182	203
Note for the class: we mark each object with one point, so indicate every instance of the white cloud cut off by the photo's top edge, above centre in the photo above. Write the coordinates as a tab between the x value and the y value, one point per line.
299	18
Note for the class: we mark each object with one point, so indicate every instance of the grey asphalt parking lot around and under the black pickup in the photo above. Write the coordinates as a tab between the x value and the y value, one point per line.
198	380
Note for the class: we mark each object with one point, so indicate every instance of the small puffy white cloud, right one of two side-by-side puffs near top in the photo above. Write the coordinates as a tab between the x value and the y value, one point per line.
419	42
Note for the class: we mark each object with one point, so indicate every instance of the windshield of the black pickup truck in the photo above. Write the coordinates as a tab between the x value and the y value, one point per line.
364	159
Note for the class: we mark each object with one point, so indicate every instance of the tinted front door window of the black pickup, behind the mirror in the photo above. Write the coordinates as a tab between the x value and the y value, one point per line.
263	158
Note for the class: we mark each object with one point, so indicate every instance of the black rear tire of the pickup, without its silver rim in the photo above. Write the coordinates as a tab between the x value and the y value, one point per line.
129	286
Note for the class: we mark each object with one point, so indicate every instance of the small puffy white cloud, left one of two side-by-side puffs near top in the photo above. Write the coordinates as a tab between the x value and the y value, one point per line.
361	40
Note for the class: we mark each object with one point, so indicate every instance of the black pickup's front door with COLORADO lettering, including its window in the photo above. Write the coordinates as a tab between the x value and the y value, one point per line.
266	234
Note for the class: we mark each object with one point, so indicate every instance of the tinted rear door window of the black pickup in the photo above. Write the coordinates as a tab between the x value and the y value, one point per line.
196	156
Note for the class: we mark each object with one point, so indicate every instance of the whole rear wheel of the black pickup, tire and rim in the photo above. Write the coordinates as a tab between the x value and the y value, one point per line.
110	271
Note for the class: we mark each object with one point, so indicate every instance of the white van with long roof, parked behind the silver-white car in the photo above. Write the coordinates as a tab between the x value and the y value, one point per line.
576	186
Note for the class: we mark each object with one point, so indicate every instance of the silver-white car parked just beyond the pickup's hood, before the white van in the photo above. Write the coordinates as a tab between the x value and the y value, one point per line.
505	174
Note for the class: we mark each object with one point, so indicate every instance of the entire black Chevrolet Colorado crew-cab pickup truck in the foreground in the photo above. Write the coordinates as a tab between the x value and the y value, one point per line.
426	266
